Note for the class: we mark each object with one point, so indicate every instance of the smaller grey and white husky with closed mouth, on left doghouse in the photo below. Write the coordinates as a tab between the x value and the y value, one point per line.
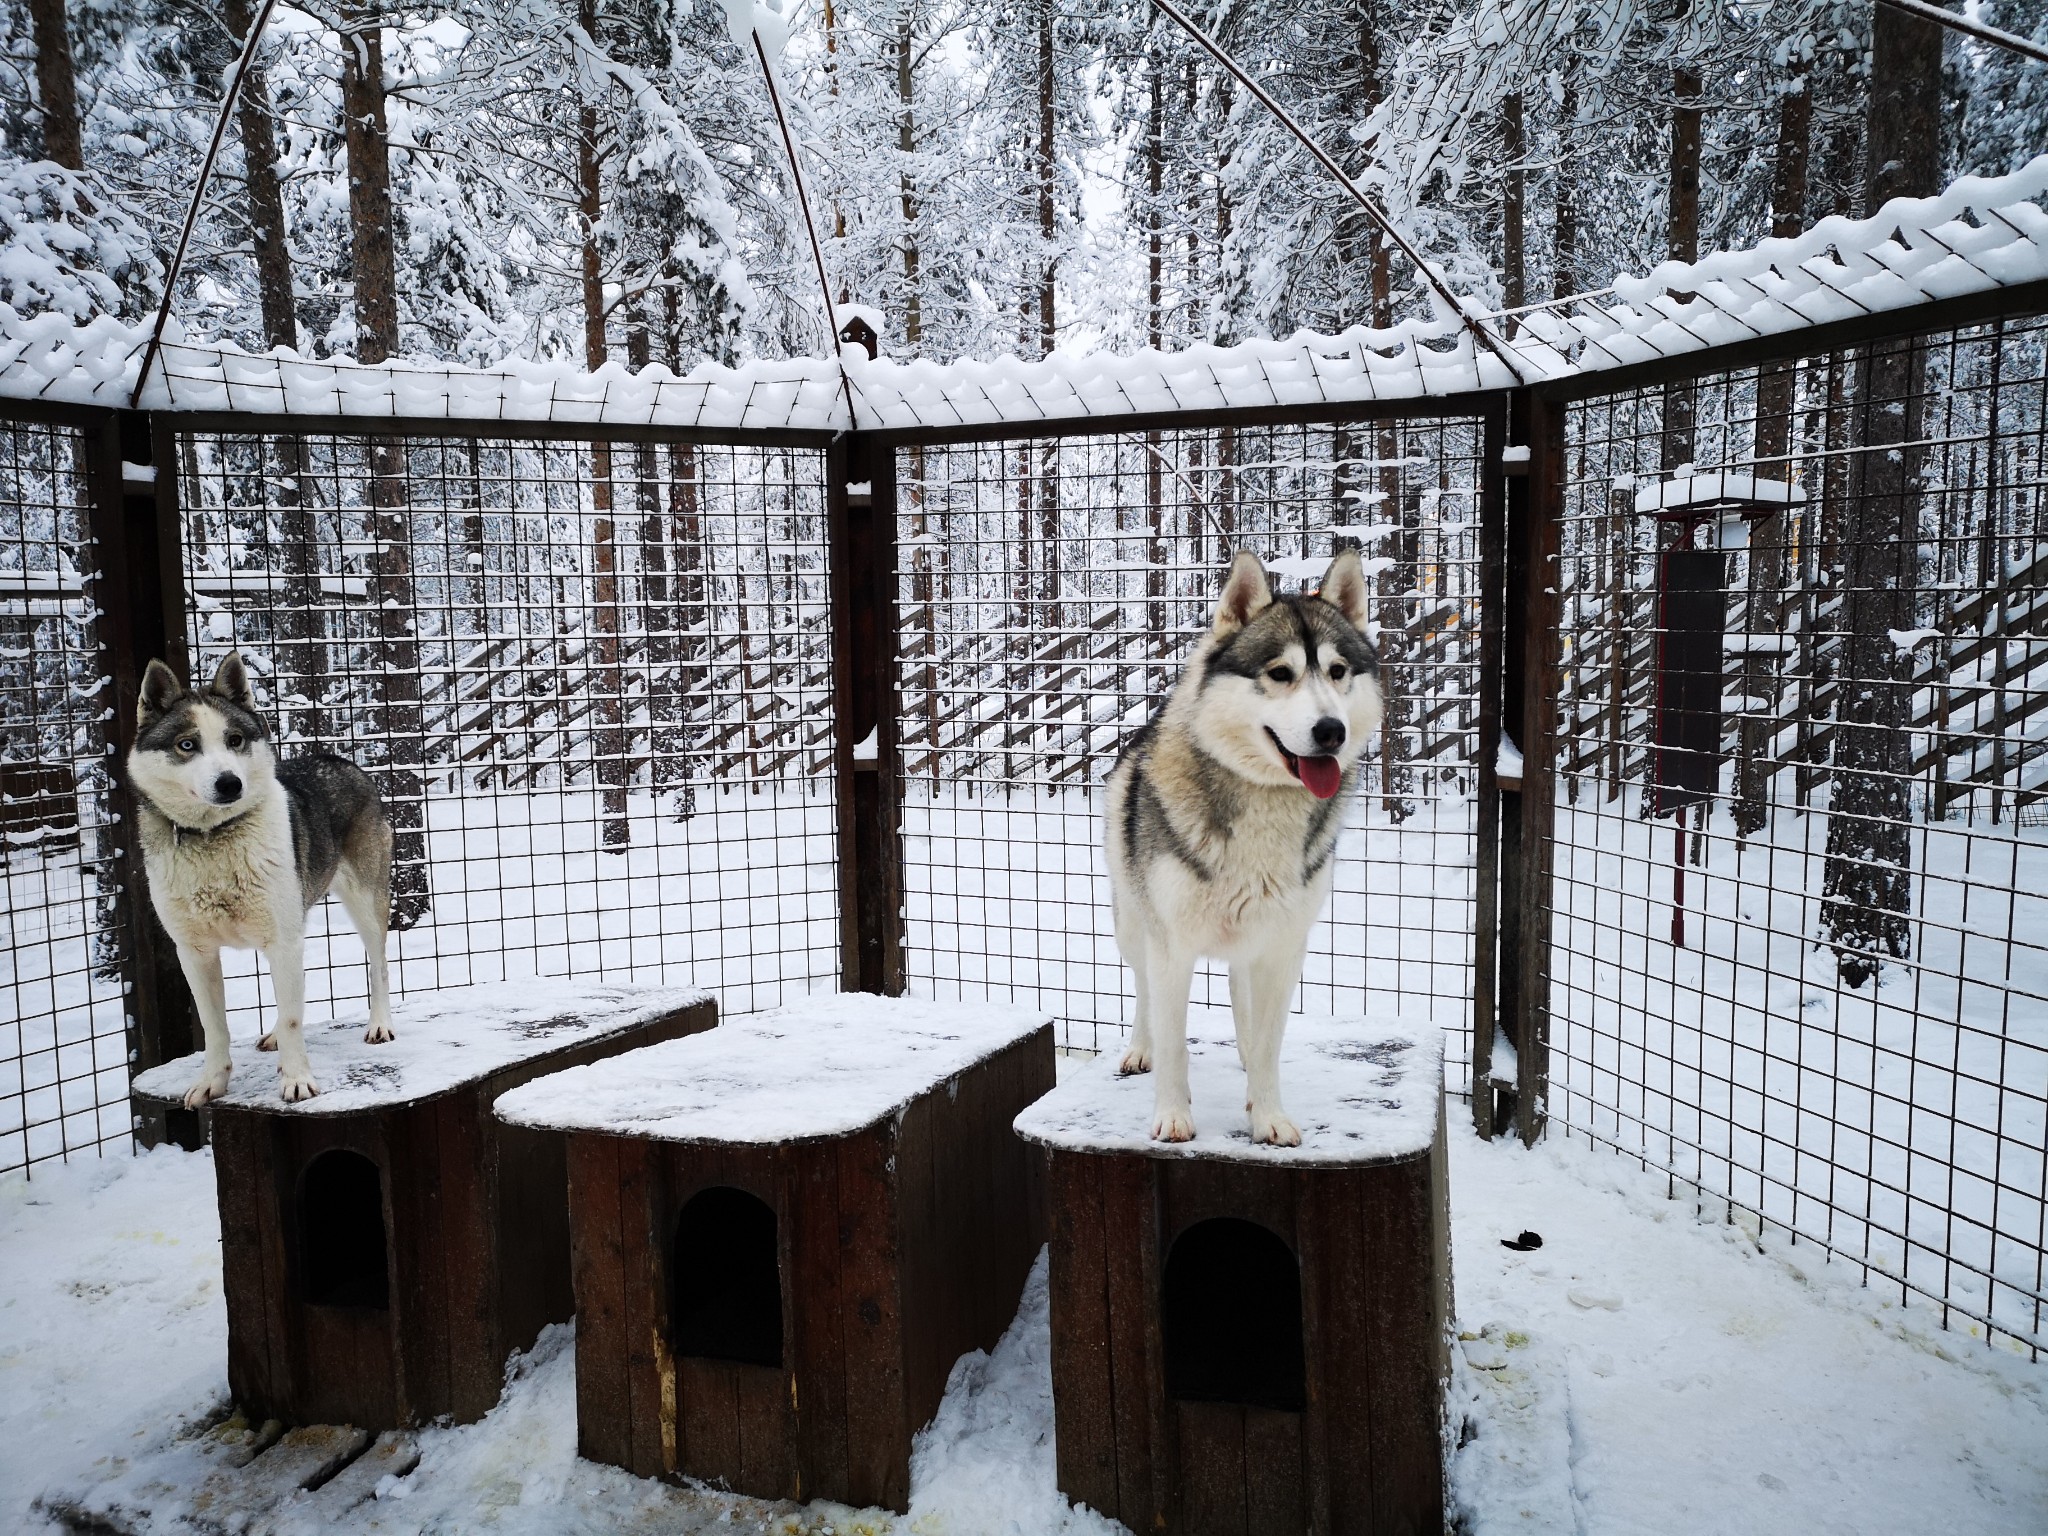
241	847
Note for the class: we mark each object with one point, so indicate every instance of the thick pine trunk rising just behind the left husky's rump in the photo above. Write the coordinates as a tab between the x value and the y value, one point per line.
374	263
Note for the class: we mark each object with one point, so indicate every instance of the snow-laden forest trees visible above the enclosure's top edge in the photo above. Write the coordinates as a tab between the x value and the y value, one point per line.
601	179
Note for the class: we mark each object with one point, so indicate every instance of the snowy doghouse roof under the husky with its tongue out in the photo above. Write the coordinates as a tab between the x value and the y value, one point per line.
1361	1091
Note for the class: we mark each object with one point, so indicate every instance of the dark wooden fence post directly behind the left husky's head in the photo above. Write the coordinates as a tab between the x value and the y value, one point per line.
140	599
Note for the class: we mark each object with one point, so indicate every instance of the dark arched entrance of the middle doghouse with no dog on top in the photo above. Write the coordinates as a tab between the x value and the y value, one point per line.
728	1281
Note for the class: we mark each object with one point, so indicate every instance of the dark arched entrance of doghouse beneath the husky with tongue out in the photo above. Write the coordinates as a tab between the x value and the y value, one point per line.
1232	1316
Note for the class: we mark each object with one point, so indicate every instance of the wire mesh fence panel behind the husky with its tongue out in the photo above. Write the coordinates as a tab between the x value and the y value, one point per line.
1050	595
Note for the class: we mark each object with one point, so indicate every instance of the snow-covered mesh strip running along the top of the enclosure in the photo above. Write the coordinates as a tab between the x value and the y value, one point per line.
1979	237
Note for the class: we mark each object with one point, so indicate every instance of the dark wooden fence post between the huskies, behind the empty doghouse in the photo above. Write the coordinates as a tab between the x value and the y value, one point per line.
861	509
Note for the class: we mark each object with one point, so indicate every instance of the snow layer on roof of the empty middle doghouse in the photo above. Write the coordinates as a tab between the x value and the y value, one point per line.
822	1068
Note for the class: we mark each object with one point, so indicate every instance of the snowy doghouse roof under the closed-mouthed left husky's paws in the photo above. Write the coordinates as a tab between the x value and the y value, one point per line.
445	1039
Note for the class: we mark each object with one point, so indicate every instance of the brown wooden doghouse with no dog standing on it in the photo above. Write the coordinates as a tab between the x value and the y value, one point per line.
787	1232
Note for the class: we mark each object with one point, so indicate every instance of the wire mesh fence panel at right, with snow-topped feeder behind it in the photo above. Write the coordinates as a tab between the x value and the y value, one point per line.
1801	880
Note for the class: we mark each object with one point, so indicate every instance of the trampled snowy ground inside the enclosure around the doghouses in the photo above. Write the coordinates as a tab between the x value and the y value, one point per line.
1650	1369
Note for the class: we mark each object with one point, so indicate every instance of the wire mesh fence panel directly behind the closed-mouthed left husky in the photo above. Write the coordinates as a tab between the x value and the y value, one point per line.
593	681
